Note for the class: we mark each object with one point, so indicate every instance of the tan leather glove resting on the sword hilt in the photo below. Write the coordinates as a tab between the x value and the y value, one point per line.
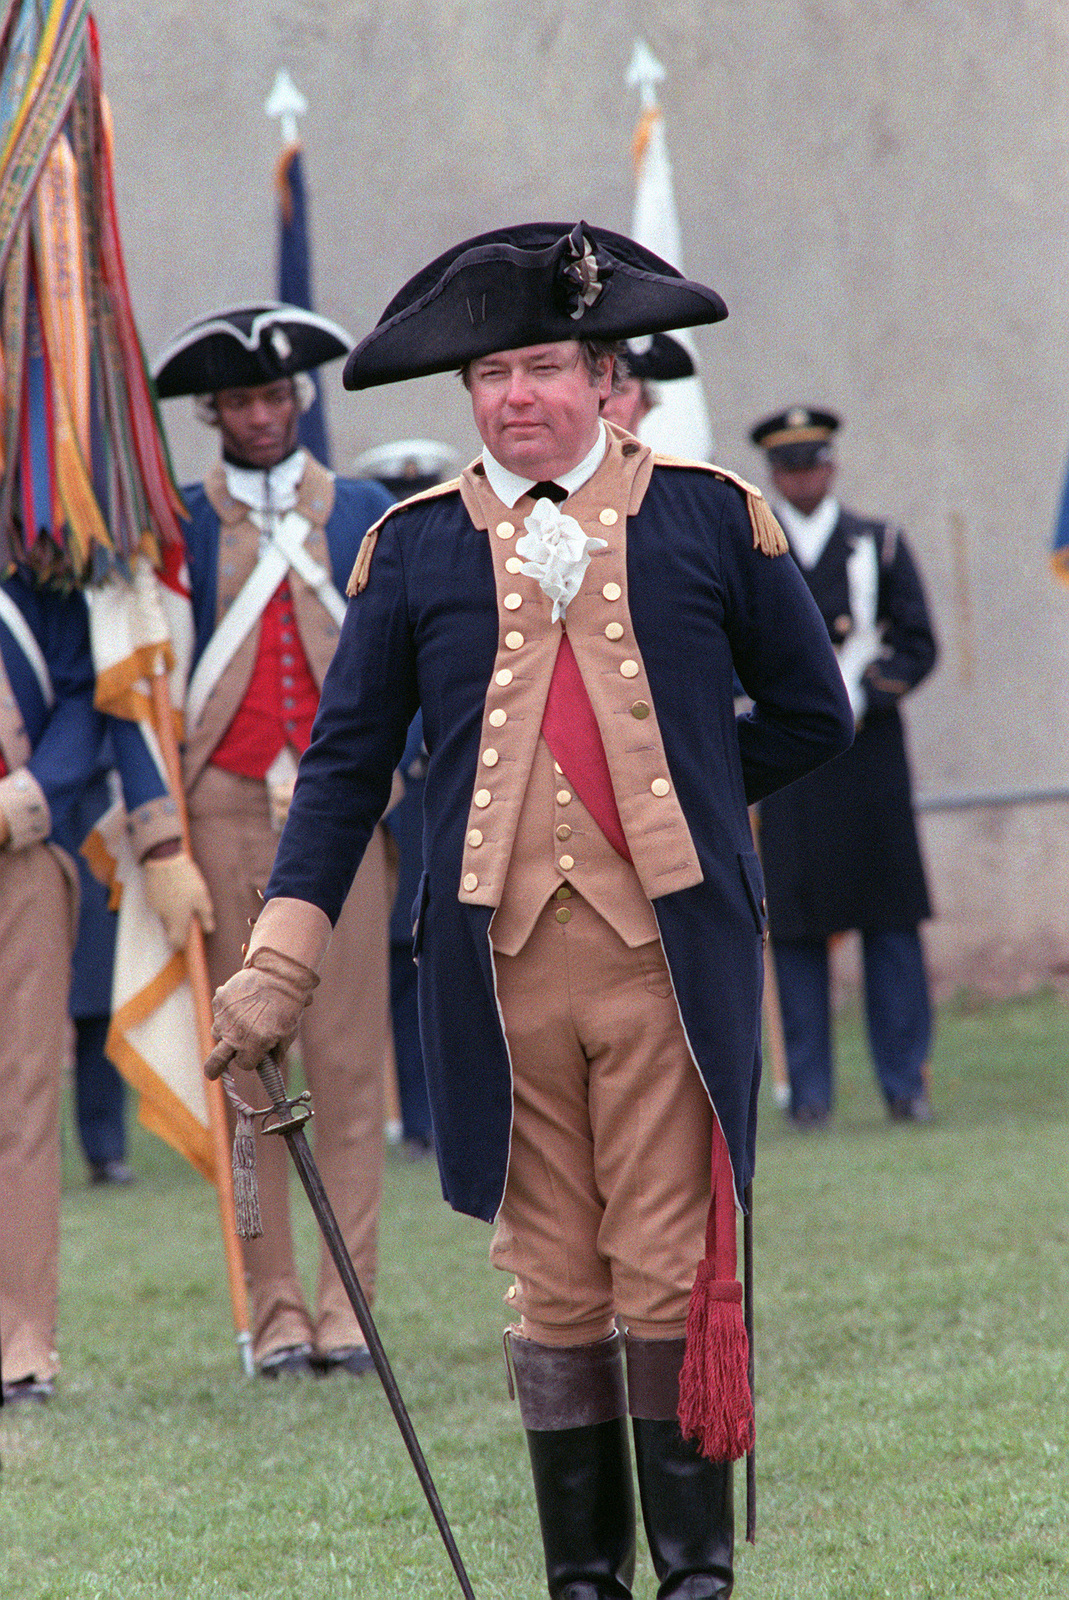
258	1010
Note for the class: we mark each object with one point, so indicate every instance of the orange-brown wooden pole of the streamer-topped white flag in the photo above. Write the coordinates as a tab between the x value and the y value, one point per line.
201	990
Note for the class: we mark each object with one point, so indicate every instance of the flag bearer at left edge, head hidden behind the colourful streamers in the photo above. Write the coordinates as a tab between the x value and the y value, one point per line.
52	794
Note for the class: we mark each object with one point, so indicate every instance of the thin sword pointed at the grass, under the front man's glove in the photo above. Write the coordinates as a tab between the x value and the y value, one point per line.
289	1118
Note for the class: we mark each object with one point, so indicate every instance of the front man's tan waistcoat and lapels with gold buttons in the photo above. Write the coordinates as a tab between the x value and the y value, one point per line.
514	857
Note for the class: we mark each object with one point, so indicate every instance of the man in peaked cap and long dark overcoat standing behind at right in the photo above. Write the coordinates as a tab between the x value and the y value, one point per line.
841	847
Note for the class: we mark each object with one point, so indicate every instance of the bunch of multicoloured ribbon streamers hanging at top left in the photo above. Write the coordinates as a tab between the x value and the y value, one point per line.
87	482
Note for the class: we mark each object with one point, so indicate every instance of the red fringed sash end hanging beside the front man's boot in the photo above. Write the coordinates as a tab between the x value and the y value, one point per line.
716	1406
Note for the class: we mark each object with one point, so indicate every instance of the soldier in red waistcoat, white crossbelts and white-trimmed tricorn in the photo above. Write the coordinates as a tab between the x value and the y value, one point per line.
271	542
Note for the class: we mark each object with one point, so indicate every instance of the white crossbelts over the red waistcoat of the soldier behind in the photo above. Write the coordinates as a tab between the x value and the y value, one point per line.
282	551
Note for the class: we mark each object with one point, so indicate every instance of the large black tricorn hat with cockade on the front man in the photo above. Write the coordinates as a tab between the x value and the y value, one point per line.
535	284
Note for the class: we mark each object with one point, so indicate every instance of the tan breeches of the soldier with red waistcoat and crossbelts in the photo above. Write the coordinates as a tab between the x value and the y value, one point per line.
342	1044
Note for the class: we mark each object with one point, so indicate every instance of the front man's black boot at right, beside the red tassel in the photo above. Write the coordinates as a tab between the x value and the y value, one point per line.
686	1500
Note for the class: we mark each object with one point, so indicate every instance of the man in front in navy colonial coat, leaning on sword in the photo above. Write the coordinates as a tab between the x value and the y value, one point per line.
571	615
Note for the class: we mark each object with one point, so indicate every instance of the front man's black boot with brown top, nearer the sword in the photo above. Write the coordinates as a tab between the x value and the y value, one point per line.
575	1415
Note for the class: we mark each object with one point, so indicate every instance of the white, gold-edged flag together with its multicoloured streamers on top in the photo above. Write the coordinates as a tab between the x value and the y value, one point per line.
87	494
